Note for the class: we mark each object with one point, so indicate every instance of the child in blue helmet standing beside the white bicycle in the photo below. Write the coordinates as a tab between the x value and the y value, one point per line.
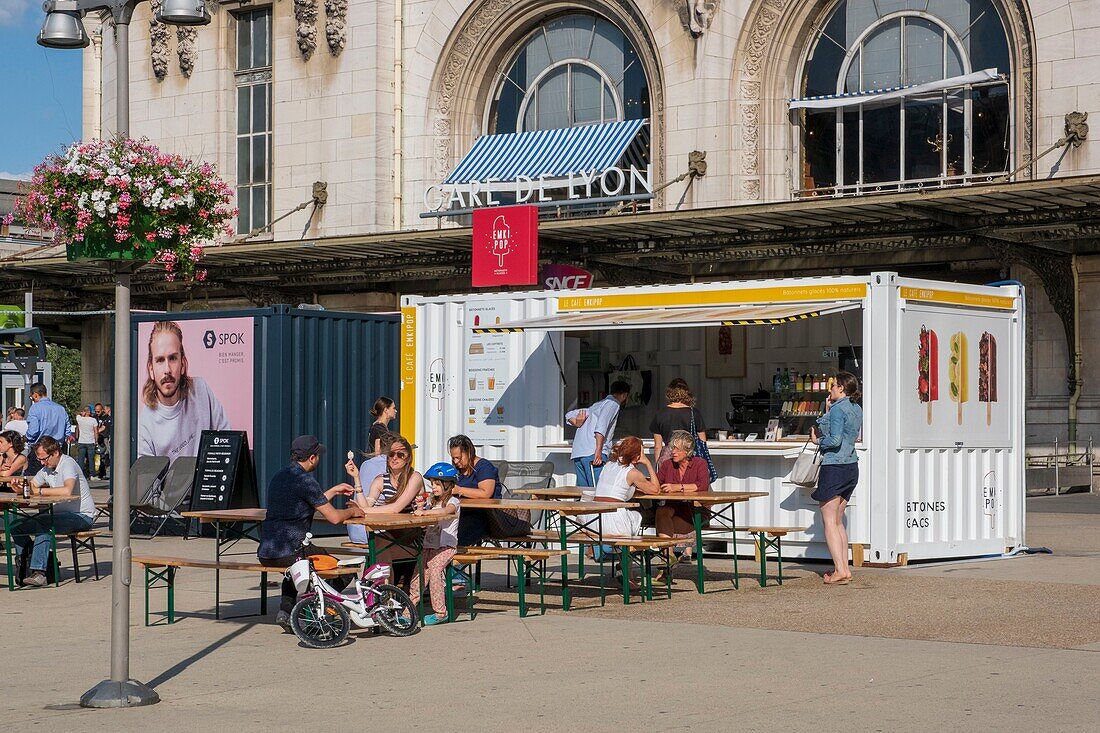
441	541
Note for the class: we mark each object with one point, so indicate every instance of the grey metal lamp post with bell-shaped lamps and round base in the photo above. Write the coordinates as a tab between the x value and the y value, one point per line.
64	29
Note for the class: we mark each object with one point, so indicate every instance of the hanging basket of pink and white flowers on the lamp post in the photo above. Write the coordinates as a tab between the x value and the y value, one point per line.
125	200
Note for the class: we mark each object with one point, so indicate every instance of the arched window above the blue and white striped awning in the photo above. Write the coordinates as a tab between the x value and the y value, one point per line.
569	71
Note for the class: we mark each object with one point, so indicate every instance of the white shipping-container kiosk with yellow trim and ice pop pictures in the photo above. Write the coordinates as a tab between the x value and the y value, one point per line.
942	367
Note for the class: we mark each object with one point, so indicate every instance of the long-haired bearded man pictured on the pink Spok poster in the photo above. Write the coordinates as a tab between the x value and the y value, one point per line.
177	407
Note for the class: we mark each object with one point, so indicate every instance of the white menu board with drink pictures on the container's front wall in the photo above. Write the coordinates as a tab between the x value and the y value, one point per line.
488	374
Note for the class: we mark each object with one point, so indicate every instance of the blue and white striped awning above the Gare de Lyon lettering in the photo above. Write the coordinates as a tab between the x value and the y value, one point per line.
547	154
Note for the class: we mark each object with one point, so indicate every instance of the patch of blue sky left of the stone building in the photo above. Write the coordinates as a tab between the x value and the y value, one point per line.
41	87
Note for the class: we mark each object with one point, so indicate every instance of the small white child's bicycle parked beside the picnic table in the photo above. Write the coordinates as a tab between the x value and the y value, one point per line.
323	617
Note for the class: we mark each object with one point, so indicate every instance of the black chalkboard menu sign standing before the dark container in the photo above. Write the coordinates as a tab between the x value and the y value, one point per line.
225	477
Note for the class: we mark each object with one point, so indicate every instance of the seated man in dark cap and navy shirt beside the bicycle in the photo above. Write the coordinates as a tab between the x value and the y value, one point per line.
293	497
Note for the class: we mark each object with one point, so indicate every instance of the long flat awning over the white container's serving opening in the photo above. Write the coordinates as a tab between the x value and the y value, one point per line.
606	321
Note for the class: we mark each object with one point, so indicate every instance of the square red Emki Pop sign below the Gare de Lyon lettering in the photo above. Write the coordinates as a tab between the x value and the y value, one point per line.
505	246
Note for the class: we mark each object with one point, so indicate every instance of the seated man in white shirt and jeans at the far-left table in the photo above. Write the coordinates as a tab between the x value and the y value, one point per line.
61	476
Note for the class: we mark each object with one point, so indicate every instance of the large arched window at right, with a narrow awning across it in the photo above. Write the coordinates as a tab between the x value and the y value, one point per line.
958	129
